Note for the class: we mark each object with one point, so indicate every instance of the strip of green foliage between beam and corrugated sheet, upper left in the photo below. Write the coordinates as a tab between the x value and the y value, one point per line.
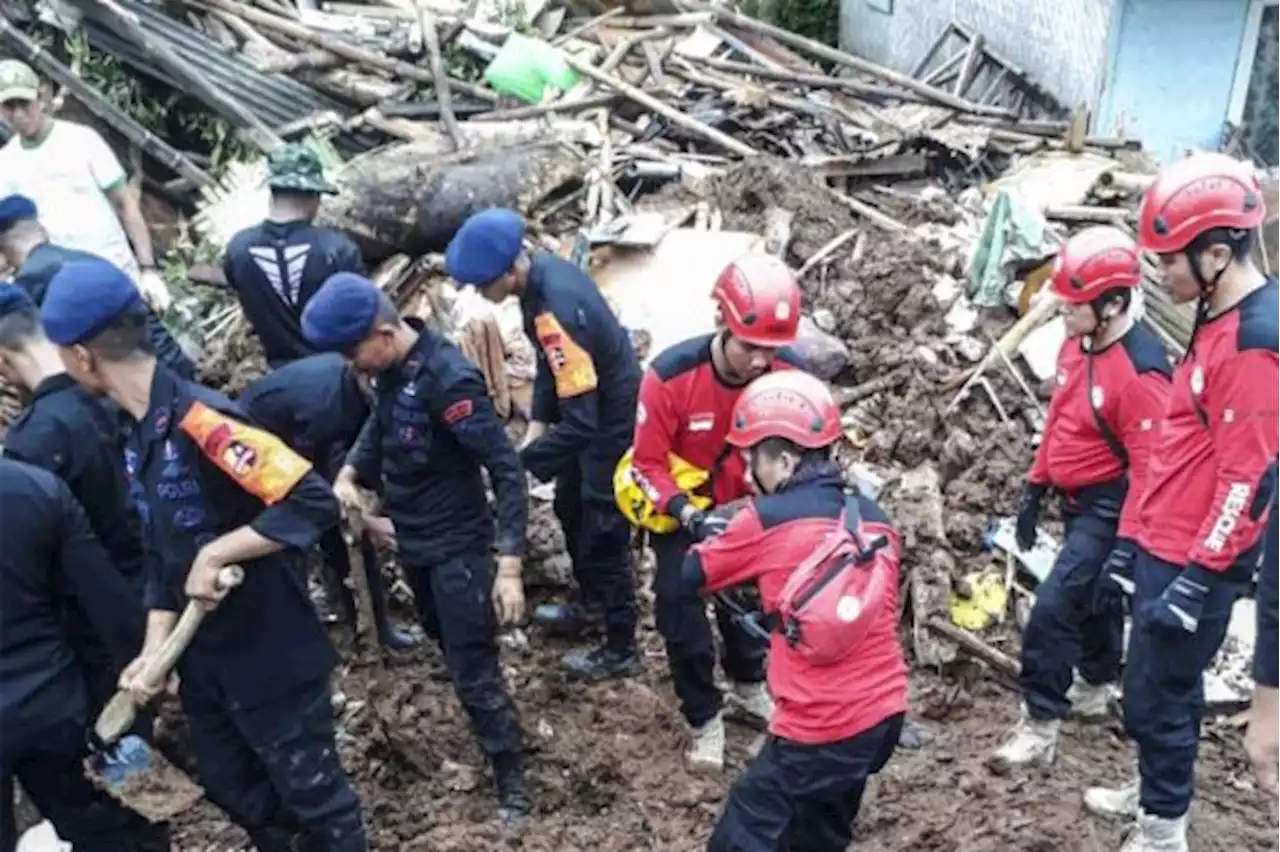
173	117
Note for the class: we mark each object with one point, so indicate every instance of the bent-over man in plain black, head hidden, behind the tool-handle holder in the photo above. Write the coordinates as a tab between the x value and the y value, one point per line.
317	406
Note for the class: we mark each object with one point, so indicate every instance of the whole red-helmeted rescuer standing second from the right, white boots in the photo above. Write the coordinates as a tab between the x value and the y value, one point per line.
1113	386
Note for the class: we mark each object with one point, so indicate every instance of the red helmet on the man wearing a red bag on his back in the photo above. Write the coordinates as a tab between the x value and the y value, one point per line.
789	405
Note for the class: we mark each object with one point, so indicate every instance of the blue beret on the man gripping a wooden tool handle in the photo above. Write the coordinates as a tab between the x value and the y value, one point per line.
84	299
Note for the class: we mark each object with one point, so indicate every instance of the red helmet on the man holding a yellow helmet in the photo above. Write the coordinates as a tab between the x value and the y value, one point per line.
760	301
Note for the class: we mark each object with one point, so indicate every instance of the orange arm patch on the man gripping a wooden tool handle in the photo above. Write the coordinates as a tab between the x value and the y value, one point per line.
259	461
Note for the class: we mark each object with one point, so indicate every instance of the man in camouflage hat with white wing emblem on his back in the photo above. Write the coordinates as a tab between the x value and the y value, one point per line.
277	267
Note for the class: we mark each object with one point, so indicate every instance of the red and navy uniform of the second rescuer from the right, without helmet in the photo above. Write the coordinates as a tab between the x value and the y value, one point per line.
1103	423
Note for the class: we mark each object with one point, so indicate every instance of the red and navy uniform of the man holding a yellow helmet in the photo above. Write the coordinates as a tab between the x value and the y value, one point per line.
685	409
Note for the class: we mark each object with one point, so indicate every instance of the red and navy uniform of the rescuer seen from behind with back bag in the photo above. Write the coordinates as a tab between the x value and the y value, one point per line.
835	725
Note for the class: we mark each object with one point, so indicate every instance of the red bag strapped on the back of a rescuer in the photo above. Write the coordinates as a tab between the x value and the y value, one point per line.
836	596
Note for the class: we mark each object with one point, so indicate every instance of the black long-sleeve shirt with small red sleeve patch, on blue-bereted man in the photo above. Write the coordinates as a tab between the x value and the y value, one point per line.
432	432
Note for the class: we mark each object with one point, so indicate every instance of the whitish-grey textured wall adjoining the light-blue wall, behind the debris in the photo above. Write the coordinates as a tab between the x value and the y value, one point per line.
1060	44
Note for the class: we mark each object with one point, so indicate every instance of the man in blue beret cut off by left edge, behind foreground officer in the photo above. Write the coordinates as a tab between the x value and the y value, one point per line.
68	433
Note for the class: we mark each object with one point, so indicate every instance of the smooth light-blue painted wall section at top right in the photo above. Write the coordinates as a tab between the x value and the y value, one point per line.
1171	71
